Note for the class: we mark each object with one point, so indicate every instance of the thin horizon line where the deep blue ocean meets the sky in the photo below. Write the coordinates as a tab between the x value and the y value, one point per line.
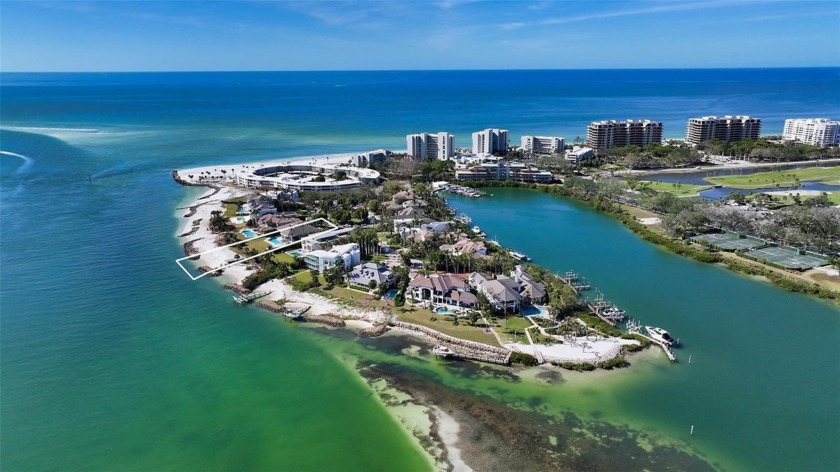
205	71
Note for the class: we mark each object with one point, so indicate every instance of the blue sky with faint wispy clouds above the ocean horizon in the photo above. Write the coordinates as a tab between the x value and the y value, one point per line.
351	35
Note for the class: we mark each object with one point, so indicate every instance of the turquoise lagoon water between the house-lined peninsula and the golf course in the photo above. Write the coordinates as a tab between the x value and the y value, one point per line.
763	383
